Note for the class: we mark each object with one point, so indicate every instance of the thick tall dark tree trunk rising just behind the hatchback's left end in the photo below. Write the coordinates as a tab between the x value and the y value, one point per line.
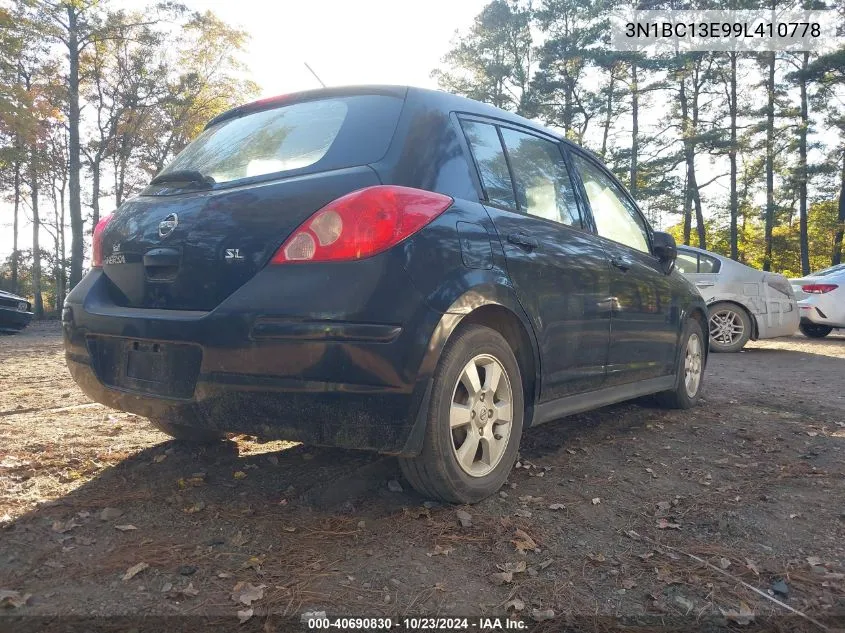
76	228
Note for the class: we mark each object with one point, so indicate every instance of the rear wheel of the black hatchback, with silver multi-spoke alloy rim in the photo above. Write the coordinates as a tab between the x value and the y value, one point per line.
493	441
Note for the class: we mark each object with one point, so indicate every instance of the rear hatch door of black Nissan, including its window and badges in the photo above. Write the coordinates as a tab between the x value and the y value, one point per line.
215	216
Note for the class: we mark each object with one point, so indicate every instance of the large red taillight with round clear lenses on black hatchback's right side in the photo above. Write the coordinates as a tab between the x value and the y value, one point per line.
361	224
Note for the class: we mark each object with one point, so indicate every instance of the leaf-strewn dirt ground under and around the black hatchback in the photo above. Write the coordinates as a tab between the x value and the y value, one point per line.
630	511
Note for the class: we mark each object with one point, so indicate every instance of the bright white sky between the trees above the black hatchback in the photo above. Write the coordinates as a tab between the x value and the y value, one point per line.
344	41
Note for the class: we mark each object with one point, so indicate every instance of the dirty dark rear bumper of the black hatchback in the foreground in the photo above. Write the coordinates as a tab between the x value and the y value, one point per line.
322	381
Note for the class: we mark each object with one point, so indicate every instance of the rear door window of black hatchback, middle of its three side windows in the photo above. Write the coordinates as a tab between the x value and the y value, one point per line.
542	184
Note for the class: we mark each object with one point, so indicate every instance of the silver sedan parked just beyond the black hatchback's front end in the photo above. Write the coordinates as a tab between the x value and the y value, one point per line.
745	303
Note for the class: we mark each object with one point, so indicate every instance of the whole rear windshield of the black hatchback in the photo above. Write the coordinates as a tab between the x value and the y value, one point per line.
301	137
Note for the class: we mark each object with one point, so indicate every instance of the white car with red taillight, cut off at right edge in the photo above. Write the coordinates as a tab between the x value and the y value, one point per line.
821	299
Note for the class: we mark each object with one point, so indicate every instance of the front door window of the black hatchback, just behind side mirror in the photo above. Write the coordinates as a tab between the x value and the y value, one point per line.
616	217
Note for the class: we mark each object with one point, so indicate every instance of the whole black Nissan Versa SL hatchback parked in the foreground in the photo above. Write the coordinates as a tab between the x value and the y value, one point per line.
383	268
